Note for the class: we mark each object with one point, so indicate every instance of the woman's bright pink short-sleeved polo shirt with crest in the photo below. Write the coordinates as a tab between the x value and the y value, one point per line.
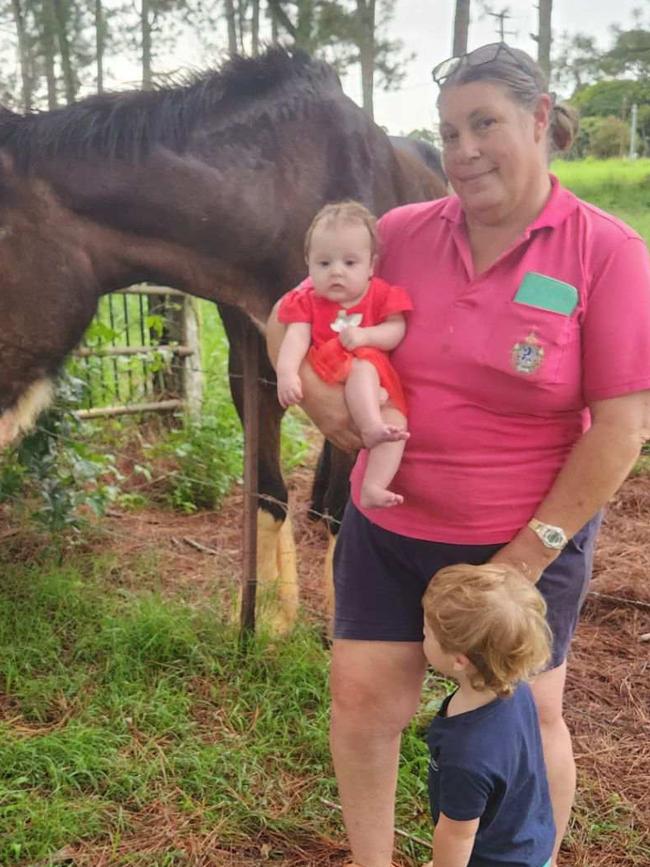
497	389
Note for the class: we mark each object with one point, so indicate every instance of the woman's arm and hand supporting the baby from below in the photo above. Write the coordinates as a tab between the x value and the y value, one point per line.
324	404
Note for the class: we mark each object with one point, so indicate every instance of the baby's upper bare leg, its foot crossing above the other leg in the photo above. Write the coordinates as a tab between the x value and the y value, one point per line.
362	395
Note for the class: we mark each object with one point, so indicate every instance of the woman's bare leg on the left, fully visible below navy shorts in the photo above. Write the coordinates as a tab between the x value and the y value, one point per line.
375	691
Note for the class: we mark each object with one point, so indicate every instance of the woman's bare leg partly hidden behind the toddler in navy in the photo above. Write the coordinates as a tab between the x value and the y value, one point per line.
548	689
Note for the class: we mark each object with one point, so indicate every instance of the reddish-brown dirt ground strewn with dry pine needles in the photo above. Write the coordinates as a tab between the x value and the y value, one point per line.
608	690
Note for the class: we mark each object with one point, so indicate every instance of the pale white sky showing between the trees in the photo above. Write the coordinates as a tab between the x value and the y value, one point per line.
426	27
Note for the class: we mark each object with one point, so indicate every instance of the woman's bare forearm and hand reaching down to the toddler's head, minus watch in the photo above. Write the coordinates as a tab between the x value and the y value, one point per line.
595	469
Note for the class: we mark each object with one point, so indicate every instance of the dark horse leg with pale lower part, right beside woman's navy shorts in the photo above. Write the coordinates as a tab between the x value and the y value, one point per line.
330	493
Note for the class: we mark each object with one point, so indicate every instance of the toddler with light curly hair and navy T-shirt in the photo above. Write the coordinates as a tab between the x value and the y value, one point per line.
485	627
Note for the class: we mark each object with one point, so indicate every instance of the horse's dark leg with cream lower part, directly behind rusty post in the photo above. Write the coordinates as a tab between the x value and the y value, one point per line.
276	555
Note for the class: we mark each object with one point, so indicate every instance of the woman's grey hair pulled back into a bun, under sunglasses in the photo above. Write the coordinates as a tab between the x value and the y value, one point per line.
524	80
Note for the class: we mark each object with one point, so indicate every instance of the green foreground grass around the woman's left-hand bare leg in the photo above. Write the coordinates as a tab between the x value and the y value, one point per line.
121	701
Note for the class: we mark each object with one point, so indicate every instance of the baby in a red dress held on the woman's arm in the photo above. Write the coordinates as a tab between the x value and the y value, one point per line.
345	321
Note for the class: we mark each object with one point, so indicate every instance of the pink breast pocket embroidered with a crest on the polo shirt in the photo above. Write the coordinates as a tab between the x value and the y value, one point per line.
528	344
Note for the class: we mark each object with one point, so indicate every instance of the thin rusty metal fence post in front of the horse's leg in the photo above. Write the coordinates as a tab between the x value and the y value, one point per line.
251	445
